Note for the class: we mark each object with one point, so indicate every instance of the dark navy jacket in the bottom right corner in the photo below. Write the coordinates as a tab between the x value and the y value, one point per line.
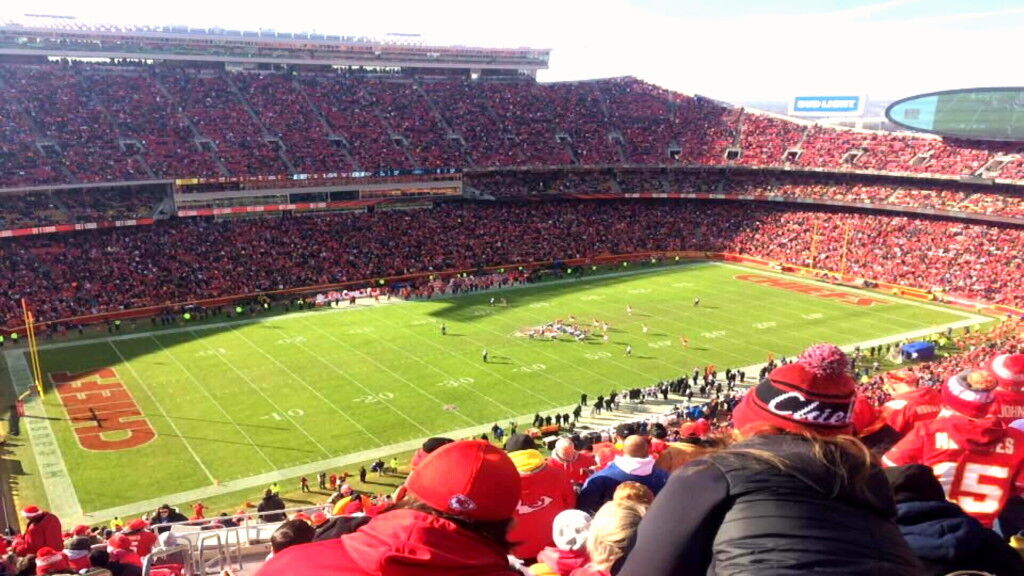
947	540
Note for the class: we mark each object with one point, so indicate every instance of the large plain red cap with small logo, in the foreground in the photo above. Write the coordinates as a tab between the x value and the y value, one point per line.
470	479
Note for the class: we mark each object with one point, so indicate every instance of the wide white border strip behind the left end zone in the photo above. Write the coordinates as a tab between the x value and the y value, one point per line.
53	470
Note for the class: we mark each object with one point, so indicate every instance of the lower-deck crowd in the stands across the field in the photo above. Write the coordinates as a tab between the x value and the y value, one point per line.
188	260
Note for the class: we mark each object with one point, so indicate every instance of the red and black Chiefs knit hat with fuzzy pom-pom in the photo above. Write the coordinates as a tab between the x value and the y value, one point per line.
815	394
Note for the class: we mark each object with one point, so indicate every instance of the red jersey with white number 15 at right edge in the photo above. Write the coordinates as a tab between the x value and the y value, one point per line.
979	463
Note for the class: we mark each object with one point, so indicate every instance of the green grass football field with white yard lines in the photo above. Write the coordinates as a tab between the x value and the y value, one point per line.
233	401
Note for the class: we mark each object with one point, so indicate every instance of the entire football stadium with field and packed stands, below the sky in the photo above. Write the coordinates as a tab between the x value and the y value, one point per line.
311	304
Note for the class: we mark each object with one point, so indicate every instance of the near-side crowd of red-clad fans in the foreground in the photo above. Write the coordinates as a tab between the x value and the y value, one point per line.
795	478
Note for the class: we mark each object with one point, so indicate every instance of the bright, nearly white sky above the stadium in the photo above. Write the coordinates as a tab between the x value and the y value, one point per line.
740	52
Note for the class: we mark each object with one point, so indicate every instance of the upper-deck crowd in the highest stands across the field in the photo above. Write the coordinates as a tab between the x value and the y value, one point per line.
67	124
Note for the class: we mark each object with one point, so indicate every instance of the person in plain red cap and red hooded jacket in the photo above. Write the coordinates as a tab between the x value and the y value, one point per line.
455	521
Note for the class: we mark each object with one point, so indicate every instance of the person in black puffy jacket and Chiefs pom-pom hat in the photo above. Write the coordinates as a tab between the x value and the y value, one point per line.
772	503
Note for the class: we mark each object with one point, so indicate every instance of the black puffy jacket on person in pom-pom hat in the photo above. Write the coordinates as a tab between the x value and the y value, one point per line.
733	514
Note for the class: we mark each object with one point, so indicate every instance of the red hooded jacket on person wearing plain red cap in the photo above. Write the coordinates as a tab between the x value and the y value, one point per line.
400	543
